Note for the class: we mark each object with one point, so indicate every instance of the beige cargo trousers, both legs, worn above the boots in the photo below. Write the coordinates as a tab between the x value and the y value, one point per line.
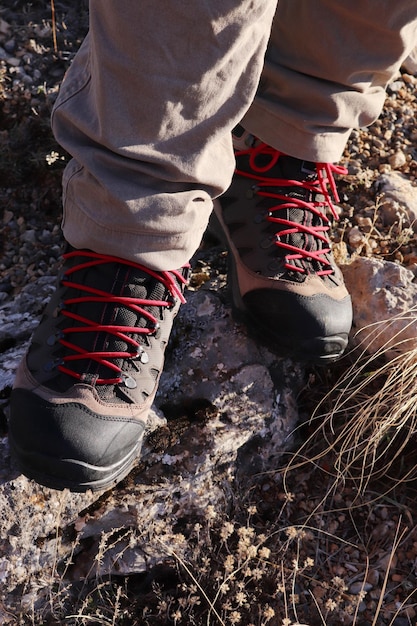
147	107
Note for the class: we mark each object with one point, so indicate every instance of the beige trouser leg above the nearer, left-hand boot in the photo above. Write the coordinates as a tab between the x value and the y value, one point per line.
146	112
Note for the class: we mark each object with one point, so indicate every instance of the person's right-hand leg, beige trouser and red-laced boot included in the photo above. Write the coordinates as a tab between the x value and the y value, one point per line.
325	72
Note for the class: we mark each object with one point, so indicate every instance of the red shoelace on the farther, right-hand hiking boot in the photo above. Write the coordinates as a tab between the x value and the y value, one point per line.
324	185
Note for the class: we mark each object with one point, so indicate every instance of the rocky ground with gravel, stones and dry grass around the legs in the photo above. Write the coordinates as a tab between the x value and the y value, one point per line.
269	492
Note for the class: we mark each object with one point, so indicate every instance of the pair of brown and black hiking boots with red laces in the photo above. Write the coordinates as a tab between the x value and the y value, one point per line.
83	391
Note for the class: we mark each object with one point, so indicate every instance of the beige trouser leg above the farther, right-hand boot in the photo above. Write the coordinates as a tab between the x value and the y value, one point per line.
326	69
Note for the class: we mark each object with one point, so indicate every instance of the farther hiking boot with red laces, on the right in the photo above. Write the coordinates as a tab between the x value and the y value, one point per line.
282	273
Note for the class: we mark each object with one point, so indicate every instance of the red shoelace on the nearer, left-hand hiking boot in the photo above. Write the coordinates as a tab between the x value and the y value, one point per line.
171	280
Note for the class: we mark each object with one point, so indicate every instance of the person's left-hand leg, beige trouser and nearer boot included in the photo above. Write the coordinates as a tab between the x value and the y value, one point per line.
146	111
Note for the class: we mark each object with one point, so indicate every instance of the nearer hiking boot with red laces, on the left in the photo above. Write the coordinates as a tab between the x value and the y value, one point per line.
83	391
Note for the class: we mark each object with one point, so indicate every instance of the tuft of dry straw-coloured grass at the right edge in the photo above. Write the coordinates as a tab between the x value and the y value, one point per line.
368	418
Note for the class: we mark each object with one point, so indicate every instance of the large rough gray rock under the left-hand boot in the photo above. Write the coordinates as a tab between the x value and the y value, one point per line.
225	407
